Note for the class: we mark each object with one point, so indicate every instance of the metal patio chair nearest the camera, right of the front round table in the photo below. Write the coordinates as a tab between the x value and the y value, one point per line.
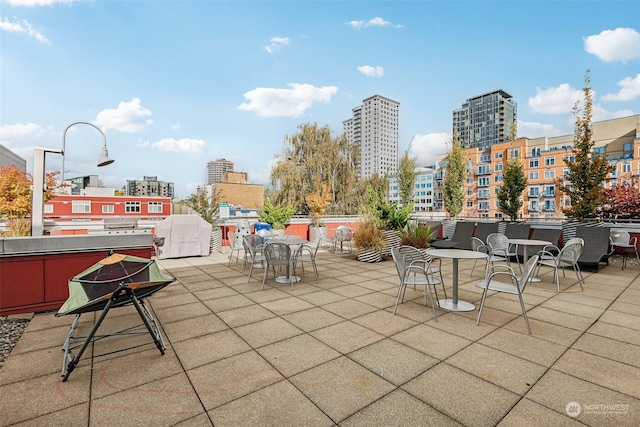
515	286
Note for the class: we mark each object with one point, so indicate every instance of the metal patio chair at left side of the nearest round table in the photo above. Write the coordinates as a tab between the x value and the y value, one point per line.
414	269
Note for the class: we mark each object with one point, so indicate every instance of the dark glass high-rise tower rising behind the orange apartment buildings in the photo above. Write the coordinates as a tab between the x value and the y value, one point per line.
485	120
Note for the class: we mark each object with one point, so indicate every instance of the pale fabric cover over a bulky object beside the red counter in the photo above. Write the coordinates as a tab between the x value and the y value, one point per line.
184	236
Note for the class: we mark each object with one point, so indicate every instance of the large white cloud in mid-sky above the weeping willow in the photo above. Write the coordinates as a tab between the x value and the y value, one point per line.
292	102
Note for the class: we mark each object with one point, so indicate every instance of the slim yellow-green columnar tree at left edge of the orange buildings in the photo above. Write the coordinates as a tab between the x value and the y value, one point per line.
453	182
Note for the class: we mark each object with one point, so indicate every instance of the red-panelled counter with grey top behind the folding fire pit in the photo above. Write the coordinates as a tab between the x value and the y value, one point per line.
34	271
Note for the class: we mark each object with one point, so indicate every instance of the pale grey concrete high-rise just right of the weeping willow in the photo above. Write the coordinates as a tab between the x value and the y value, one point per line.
374	125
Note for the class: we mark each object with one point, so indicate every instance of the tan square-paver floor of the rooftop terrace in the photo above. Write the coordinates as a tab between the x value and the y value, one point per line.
332	353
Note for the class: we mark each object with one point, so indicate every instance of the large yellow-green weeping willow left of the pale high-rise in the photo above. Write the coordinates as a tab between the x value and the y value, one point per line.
313	158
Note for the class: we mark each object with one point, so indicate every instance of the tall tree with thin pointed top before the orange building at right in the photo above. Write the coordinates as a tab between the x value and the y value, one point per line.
588	170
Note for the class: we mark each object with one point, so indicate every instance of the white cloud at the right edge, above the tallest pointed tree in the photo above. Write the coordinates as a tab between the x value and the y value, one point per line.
621	44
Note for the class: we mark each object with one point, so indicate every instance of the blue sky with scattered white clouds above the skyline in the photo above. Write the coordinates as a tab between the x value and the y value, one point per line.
175	84
